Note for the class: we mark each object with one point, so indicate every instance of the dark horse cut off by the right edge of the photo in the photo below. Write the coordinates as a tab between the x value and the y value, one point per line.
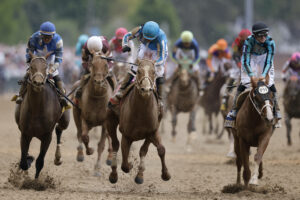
291	103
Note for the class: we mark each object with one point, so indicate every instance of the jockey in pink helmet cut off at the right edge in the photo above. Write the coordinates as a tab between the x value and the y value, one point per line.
291	67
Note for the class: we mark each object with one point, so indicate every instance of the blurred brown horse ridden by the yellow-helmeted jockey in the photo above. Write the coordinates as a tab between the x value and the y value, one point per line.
183	97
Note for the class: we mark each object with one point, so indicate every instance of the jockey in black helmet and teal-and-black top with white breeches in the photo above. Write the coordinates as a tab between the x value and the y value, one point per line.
257	59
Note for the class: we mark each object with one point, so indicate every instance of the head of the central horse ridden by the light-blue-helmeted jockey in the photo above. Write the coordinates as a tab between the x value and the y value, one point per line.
145	76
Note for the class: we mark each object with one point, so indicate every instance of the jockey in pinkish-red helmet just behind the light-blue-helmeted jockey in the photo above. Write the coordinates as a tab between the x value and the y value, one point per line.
116	46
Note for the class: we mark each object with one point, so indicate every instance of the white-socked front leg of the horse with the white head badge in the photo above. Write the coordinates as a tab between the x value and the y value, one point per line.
262	146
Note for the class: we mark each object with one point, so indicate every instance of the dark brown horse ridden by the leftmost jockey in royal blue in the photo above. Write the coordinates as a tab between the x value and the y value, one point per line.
38	114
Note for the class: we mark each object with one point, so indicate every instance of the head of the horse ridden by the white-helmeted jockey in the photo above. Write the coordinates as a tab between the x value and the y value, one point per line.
99	70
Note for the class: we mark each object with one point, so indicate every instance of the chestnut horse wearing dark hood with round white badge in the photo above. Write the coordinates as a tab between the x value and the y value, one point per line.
253	128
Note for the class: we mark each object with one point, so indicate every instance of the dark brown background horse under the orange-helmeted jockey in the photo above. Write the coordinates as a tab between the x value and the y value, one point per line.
210	102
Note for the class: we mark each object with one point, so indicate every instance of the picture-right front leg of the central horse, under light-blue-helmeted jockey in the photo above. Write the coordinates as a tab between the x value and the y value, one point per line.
156	140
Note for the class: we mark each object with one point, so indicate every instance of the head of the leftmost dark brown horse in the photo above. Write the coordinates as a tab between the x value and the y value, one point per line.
38	71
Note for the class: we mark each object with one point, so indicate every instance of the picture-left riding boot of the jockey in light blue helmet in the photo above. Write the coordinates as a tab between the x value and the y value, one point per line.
115	100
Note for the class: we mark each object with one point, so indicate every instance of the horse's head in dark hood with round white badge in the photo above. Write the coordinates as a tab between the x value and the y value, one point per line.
262	97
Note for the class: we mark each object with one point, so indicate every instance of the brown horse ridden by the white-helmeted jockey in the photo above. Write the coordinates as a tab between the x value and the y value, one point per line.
92	109
